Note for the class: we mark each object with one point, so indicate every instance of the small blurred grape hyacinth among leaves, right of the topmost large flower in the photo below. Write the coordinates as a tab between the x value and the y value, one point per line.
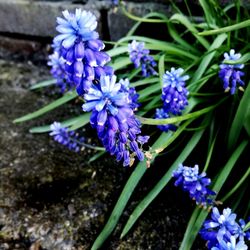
141	58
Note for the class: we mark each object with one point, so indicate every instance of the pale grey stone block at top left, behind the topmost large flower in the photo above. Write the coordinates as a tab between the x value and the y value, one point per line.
34	18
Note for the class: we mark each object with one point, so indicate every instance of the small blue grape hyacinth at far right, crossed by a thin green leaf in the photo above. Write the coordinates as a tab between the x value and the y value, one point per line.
231	74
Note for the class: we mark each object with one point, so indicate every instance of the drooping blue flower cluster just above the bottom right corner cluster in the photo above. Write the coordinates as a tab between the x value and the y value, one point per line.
194	183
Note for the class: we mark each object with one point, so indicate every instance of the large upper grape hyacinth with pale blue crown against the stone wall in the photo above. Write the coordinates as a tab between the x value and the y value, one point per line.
80	47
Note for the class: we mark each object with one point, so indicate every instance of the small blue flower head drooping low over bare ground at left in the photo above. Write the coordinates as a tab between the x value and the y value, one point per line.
70	139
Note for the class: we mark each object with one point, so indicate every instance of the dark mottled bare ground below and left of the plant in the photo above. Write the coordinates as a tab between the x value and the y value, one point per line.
51	198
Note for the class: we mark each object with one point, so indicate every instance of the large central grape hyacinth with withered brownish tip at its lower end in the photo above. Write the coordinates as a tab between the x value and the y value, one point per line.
113	118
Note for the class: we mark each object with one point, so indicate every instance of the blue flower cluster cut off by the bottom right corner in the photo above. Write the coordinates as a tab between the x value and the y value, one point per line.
223	232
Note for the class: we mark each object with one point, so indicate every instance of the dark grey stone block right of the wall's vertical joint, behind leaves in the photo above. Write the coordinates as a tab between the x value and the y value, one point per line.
119	24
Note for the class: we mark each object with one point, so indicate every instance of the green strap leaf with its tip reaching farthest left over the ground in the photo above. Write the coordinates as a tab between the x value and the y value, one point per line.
66	98
